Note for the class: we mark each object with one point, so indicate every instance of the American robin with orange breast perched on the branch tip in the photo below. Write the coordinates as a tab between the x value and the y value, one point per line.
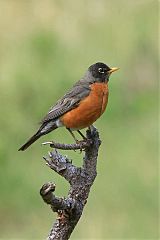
81	106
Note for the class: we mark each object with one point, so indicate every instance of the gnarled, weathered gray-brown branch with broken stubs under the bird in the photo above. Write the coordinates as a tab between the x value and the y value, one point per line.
70	209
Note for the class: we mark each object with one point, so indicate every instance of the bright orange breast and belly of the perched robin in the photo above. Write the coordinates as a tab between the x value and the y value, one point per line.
89	109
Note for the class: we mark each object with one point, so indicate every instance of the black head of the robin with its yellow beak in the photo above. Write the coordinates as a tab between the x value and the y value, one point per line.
101	72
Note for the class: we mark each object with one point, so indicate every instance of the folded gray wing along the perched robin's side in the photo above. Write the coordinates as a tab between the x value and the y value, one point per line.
69	101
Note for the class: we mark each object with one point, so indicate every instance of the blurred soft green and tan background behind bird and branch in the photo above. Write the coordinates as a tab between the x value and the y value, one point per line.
45	46
